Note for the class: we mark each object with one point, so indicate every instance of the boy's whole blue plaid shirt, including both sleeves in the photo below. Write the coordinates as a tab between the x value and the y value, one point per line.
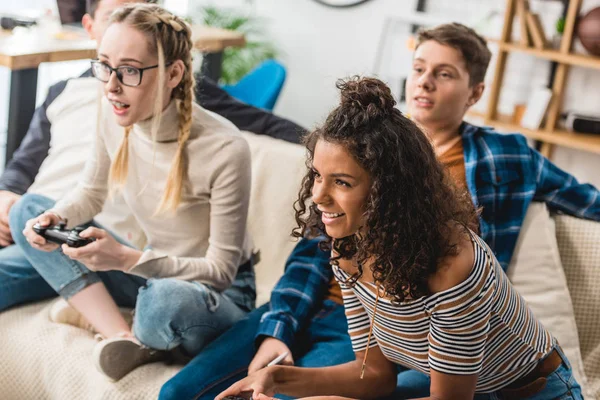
503	174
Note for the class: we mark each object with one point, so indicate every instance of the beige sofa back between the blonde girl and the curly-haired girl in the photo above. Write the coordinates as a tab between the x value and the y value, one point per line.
277	171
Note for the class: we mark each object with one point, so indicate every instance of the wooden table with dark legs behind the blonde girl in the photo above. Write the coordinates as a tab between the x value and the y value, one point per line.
23	54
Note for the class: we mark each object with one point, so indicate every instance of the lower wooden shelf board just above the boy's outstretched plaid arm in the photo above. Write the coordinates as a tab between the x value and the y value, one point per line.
573	140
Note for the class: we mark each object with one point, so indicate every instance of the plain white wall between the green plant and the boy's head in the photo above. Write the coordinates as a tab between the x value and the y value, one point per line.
319	45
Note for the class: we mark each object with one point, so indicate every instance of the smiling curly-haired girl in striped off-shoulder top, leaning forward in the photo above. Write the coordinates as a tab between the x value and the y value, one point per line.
420	288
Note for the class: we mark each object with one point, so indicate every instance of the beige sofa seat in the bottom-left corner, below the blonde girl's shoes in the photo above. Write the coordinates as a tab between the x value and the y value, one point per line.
44	360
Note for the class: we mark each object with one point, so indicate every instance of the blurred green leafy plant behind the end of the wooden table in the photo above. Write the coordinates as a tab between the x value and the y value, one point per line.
237	62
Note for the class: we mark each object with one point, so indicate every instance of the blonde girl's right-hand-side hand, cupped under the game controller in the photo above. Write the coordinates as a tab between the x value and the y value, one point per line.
103	254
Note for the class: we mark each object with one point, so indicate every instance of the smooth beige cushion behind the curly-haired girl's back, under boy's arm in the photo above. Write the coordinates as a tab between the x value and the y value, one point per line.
537	273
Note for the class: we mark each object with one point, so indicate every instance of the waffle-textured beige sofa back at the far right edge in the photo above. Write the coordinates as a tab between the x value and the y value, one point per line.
579	244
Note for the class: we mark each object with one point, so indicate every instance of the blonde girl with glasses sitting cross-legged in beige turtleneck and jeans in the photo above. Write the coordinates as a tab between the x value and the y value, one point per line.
185	175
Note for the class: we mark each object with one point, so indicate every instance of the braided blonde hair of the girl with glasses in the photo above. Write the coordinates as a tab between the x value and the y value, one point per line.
171	38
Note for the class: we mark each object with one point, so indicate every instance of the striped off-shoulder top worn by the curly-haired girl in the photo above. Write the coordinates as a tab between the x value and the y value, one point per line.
481	326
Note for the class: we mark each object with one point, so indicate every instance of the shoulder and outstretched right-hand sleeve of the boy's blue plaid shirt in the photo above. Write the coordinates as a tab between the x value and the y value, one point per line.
504	175
